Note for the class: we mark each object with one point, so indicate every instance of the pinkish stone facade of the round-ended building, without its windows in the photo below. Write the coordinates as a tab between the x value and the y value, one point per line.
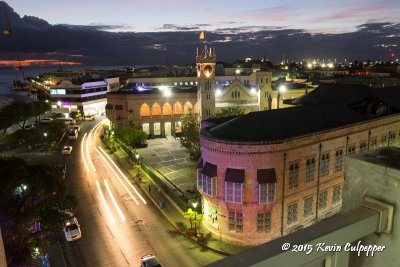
251	157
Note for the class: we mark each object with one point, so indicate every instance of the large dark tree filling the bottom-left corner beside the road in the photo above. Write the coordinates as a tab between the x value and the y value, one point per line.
33	201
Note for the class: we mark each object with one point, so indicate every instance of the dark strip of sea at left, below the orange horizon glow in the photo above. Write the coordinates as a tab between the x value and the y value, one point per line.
8	75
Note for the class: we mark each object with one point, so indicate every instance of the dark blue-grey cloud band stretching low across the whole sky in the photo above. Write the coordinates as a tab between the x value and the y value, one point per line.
176	44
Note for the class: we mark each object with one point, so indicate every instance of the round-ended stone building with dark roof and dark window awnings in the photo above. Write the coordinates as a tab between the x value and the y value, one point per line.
266	174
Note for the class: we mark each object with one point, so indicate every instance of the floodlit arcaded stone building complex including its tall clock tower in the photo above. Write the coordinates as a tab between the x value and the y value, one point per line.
155	103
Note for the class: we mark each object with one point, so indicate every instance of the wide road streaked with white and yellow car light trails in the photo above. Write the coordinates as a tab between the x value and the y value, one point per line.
118	223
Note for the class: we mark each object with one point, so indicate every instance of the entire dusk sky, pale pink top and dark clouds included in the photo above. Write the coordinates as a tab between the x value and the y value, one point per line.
165	31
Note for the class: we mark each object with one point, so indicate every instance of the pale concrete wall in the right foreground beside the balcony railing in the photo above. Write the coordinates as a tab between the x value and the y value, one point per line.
375	174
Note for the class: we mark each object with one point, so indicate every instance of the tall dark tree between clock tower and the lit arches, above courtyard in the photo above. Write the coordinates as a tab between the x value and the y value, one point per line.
191	131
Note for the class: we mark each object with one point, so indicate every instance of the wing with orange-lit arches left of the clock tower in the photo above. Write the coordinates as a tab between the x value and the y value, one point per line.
156	112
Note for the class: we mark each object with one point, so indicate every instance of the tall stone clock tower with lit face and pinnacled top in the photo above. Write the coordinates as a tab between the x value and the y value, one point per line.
205	61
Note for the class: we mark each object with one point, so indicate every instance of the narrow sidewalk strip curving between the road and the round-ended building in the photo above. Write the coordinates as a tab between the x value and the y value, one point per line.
173	213
